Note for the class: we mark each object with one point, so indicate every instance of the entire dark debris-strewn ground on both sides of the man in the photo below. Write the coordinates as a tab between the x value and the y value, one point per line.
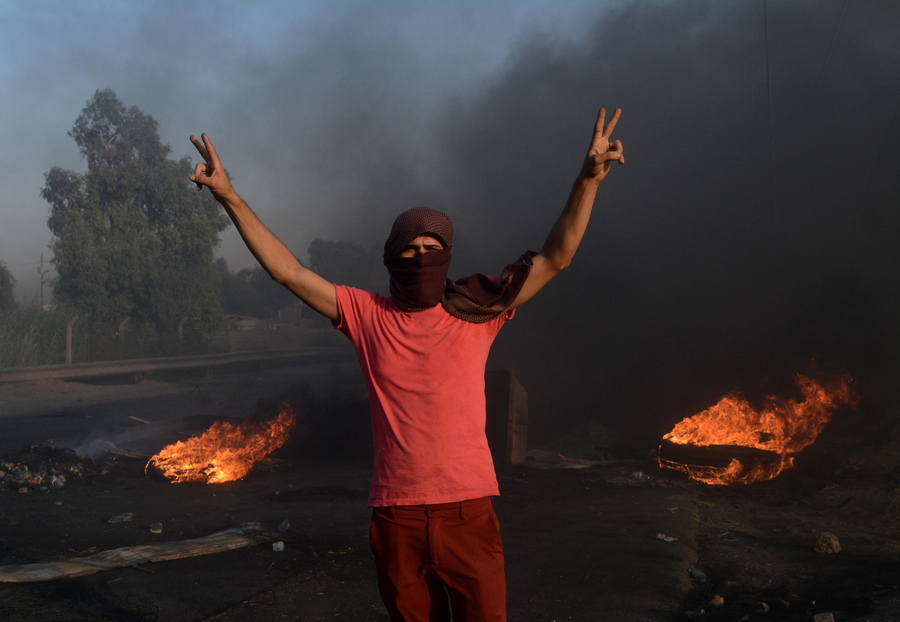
597	543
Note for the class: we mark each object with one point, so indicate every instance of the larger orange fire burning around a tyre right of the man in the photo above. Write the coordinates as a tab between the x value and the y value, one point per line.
781	426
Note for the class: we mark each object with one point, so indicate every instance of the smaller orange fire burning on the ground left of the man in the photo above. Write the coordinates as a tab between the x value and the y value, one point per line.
224	452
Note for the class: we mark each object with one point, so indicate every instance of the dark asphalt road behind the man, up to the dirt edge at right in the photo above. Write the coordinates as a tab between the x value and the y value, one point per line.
581	543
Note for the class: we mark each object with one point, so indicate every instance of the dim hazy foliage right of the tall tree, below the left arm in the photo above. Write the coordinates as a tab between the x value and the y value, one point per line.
252	292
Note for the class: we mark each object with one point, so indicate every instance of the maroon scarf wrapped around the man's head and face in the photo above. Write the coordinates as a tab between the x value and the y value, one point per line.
418	282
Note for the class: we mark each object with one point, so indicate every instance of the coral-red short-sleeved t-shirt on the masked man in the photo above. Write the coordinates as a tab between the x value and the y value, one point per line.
424	372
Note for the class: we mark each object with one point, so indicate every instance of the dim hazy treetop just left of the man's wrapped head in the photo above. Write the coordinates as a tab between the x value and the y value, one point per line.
347	263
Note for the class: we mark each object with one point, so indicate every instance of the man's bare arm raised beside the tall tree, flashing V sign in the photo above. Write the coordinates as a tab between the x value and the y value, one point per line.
271	253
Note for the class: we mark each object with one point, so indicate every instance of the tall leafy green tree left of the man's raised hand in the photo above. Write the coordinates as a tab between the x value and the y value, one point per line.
132	237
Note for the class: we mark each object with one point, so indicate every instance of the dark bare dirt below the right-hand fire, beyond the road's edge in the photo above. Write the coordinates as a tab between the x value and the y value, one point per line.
758	543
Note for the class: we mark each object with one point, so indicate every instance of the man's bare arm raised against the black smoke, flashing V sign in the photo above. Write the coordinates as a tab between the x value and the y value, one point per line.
565	236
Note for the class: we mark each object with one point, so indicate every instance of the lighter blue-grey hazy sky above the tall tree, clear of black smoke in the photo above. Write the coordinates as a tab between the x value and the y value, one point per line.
243	71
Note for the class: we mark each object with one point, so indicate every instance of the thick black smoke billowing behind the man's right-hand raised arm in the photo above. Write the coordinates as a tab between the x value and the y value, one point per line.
753	228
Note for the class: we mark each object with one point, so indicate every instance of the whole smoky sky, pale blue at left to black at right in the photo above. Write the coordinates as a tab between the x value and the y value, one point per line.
754	226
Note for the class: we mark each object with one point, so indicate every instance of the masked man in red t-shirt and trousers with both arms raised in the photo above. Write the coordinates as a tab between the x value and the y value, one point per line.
423	352
